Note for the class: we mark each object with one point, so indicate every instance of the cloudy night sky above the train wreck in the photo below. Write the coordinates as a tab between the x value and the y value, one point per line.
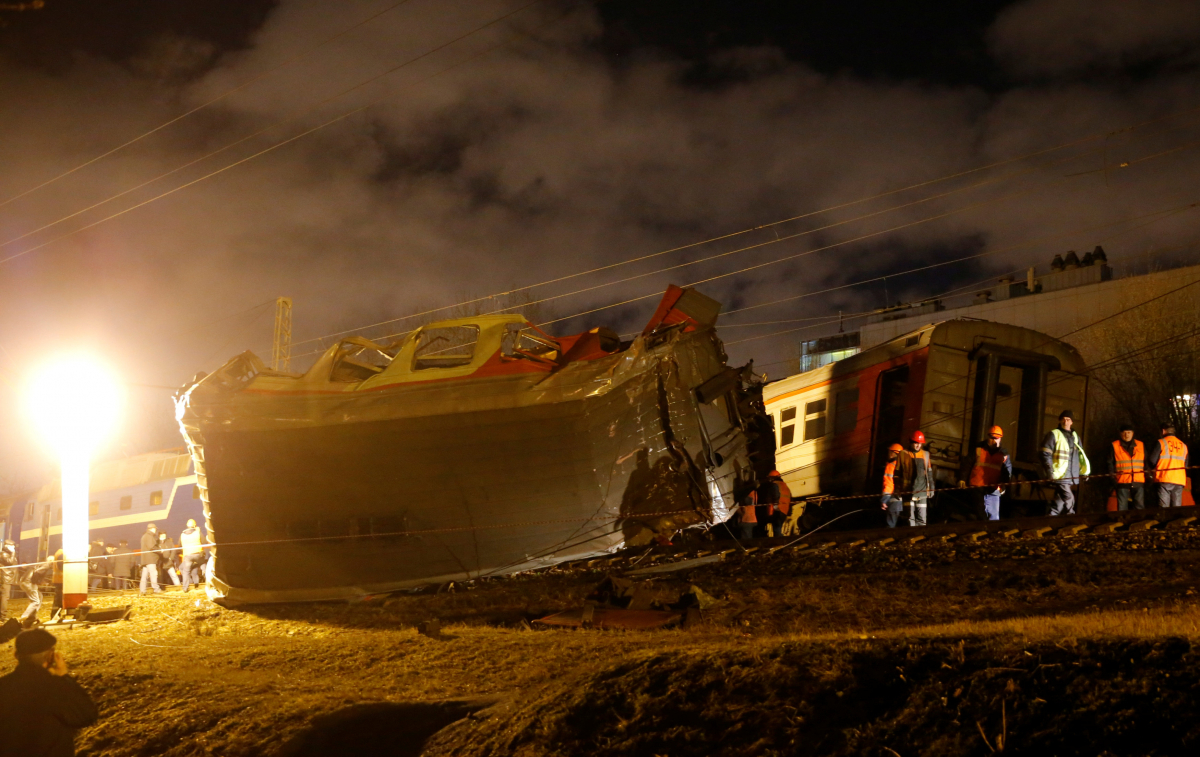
496	145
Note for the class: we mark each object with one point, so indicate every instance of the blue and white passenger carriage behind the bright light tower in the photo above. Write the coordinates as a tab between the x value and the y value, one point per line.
125	496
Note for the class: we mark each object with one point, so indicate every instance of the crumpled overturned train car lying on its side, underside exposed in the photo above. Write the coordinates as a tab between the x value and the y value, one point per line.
470	448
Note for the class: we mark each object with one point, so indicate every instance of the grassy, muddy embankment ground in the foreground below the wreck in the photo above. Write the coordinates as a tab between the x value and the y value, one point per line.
1081	646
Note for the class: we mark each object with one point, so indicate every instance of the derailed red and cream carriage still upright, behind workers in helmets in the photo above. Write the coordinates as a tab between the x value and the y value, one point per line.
953	381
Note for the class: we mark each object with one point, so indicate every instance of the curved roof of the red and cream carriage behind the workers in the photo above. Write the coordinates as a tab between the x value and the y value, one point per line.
965	334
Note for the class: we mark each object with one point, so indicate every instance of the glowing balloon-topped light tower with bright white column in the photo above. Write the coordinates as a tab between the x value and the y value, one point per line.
74	402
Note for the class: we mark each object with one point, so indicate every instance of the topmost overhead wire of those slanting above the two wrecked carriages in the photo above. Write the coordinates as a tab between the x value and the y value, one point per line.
771	225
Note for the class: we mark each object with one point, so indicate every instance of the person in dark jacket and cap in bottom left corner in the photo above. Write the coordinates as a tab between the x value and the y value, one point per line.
41	707
